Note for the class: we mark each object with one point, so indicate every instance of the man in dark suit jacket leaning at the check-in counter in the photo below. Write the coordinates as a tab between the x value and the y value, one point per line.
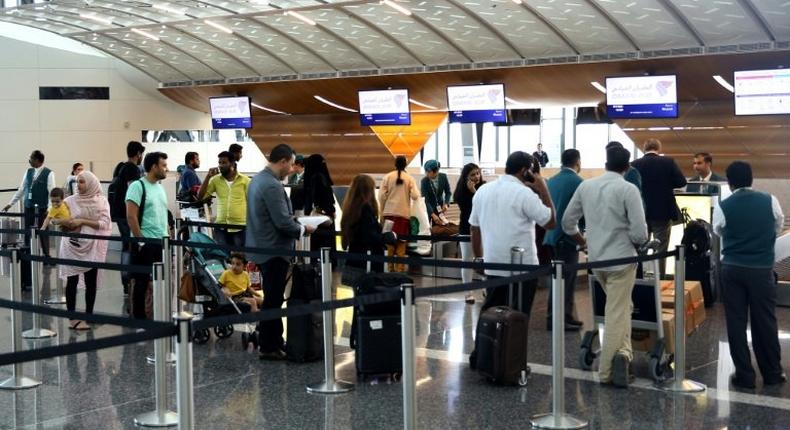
660	176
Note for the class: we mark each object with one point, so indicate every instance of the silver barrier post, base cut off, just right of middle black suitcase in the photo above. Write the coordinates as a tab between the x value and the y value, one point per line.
409	354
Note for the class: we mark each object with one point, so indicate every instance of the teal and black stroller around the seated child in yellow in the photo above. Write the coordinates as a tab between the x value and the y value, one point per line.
207	266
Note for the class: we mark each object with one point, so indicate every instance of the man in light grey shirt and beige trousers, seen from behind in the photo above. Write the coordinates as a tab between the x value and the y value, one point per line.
615	220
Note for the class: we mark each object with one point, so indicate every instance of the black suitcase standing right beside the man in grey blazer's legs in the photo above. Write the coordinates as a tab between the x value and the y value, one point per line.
305	332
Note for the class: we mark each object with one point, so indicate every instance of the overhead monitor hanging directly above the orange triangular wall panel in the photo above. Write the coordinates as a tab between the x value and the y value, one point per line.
384	107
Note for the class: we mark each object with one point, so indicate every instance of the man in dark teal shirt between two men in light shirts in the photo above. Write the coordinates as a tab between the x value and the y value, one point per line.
561	187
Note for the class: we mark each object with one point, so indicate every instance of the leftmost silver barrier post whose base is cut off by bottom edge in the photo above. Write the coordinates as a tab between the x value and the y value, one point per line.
184	372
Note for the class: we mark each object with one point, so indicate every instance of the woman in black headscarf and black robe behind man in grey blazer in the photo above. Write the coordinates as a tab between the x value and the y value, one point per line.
319	199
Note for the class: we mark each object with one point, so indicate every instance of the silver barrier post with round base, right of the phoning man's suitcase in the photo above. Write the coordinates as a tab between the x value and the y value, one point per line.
558	419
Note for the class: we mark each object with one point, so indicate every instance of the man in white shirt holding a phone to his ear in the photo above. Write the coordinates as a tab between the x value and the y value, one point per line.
504	213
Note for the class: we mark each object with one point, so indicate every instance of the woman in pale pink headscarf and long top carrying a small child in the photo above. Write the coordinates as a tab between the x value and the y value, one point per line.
90	214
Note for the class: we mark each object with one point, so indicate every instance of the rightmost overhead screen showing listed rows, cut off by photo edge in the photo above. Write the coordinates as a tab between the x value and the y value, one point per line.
762	92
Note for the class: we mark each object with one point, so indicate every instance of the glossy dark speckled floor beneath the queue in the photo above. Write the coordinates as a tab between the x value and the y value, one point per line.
233	389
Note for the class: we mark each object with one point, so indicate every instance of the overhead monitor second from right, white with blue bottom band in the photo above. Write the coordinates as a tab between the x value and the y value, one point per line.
642	97
